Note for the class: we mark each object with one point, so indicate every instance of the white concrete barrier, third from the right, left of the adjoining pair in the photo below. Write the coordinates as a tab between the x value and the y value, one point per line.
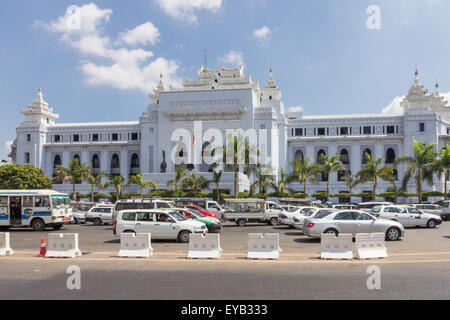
263	246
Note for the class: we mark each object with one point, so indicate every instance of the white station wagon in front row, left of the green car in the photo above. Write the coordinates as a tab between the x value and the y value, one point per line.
161	224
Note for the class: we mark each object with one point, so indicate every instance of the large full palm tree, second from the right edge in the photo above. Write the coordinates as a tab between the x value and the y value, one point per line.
419	166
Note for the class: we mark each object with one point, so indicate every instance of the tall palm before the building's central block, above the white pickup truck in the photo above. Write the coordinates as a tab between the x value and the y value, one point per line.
237	145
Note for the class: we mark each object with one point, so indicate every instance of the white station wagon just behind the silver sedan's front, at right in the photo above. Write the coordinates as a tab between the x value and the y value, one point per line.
407	216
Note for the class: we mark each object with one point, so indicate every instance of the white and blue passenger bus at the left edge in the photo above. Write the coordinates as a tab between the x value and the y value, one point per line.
34	208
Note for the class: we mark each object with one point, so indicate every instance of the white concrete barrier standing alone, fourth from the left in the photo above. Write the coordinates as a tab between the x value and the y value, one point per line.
204	246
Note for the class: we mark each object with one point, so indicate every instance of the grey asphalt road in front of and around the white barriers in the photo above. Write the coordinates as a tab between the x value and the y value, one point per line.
417	268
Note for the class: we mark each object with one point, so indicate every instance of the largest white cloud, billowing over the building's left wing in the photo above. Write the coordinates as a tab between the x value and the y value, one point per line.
123	68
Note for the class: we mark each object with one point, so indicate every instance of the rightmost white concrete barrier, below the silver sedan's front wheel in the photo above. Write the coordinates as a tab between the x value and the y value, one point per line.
371	246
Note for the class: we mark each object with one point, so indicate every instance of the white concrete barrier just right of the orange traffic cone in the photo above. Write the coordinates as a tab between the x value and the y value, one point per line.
63	245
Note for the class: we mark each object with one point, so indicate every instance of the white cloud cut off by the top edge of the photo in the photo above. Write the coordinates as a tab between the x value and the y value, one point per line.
185	9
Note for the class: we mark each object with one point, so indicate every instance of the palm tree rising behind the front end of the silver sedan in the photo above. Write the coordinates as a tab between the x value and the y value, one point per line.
373	171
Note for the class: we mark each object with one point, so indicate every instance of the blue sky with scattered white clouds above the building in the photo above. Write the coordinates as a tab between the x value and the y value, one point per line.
323	56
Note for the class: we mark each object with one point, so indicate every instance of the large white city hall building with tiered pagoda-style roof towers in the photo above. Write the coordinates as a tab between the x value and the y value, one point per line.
228	99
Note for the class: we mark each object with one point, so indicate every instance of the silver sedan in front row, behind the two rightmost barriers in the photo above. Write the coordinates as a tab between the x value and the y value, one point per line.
352	222
